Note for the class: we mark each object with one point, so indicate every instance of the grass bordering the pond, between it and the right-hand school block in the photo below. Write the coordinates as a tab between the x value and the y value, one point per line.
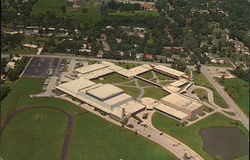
190	135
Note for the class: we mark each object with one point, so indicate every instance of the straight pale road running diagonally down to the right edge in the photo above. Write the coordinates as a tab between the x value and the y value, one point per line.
244	119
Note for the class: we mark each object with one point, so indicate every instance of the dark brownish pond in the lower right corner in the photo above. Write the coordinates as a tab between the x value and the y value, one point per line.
227	143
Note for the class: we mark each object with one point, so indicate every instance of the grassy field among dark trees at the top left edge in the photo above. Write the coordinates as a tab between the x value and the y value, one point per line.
92	15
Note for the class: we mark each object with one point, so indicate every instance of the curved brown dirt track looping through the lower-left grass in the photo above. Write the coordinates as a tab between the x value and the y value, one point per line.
68	131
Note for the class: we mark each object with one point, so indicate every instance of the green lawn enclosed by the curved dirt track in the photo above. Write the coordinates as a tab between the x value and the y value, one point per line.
28	133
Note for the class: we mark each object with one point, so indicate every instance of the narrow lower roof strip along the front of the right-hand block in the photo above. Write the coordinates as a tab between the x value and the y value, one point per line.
169	110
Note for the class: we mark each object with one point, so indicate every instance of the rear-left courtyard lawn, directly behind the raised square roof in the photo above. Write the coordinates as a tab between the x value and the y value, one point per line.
112	78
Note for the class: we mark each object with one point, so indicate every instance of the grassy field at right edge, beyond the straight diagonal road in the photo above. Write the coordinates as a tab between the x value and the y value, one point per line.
238	89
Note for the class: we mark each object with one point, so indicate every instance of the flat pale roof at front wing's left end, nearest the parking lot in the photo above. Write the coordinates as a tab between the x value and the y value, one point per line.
76	85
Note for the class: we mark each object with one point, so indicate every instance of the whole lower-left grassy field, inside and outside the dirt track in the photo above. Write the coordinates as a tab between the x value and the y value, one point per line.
31	131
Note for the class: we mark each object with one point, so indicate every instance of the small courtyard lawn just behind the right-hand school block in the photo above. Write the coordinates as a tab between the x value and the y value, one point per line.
156	93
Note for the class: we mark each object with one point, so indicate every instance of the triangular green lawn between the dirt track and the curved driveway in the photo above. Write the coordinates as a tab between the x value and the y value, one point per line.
95	138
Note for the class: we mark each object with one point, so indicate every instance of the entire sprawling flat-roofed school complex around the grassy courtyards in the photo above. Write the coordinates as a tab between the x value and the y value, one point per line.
116	103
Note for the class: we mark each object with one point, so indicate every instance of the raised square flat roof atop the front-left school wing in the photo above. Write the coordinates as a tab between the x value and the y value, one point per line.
105	91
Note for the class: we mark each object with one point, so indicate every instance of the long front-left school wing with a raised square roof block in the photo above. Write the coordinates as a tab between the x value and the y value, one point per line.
105	97
